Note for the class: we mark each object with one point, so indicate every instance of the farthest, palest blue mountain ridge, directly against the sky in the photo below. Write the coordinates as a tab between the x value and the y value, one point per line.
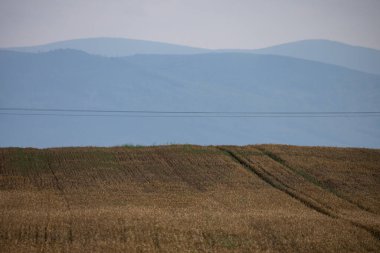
325	51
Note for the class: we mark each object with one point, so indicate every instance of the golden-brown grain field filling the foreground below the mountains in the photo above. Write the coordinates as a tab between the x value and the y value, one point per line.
183	198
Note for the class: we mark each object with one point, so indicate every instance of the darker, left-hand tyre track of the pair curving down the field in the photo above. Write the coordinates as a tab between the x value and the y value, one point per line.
267	177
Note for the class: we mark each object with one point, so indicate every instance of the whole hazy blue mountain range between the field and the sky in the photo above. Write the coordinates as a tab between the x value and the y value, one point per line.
176	78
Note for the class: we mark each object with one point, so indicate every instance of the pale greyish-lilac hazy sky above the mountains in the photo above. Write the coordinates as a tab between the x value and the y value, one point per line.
200	23
